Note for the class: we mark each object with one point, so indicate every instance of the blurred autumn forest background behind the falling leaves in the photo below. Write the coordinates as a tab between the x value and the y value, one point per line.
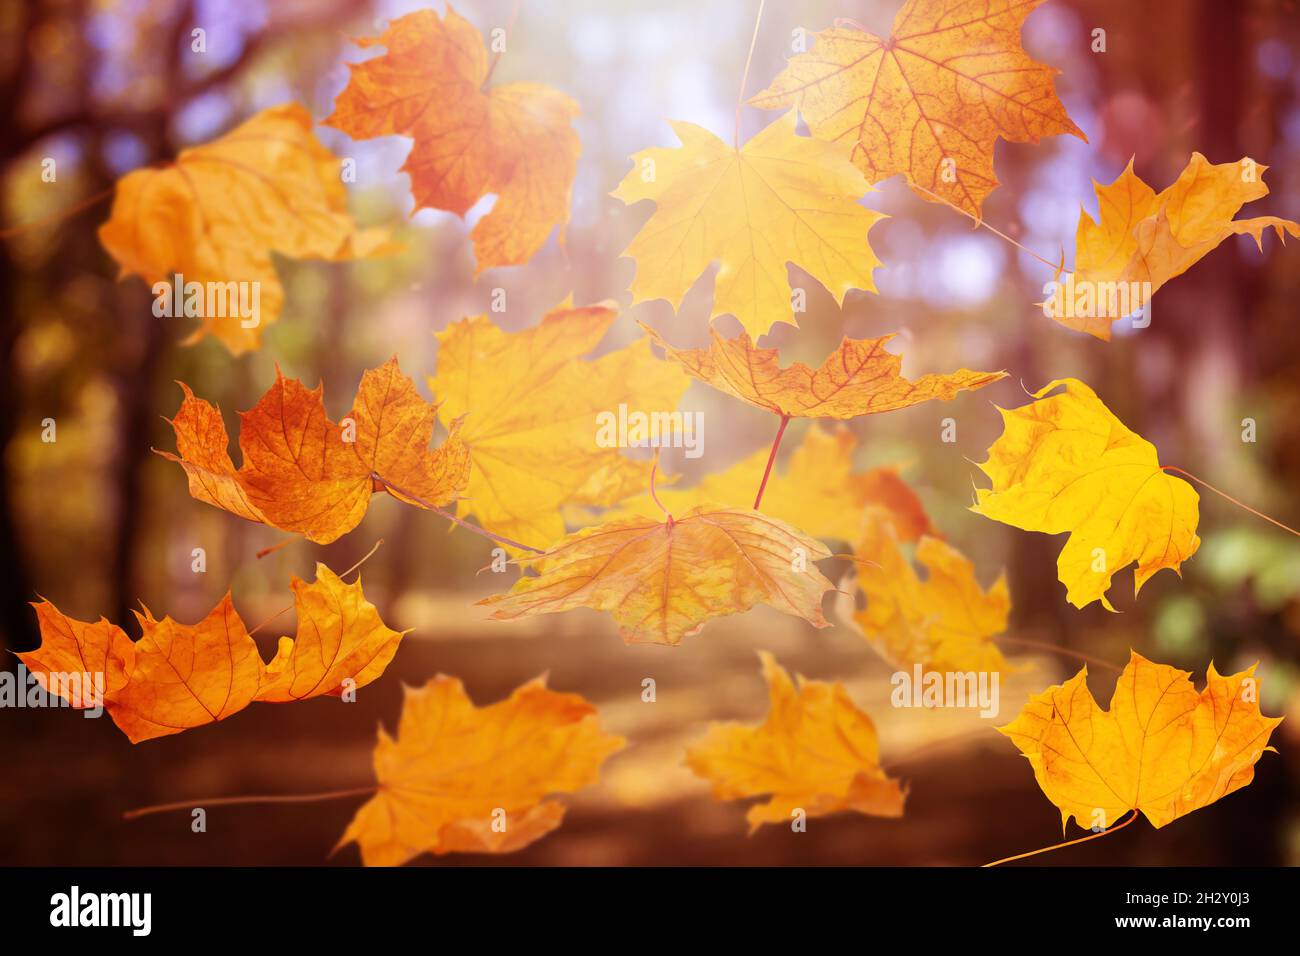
98	524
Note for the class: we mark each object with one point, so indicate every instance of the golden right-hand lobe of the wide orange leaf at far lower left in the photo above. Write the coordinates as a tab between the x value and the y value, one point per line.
340	639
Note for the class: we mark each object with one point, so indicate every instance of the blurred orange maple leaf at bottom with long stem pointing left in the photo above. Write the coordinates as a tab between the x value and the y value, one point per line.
460	778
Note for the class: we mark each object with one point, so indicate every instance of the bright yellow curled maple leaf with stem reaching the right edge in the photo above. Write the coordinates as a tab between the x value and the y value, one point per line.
1068	465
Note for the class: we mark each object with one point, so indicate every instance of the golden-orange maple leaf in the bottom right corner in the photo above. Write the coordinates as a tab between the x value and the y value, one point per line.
1163	747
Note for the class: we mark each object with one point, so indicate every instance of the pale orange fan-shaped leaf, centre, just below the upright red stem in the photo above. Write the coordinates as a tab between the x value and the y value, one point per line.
664	581
